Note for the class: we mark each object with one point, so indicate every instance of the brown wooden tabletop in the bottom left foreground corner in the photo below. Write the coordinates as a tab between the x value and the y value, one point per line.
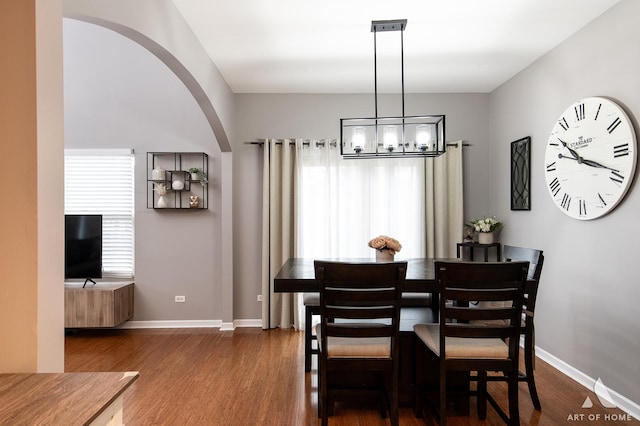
63	398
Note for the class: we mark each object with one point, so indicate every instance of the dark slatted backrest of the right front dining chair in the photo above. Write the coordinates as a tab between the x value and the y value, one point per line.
464	282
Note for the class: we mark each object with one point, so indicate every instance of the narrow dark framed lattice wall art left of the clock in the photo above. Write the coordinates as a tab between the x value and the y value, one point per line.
521	174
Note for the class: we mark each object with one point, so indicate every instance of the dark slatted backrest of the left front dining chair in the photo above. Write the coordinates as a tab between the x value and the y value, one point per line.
360	300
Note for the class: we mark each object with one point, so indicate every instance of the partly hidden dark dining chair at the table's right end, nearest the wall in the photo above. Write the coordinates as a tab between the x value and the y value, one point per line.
536	260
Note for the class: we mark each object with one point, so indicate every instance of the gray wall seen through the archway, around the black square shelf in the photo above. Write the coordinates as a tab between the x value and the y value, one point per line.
119	95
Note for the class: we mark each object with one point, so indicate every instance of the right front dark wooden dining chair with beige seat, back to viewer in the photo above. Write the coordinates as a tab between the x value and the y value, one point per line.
459	343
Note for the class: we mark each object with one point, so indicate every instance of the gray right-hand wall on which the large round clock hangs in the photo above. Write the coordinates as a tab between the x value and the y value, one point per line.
588	299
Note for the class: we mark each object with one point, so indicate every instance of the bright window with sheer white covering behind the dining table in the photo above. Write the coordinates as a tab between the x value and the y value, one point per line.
342	204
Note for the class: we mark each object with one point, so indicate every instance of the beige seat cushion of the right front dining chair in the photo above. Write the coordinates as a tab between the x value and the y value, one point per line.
458	347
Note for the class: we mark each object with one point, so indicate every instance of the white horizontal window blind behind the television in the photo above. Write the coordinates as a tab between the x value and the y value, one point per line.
102	182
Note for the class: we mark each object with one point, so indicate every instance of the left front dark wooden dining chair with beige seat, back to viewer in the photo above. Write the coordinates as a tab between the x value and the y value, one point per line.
358	334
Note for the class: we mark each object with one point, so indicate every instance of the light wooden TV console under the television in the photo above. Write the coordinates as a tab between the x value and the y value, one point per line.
97	305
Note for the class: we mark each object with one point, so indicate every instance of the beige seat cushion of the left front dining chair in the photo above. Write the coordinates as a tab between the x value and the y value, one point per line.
361	347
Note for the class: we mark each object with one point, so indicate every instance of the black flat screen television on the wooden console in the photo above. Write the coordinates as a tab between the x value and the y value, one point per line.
83	247
